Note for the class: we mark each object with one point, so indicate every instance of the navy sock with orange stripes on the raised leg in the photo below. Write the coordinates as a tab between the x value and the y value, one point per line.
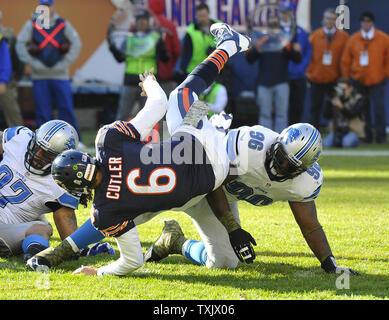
206	72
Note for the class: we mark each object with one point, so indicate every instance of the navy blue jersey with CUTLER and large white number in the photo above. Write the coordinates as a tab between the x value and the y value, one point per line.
139	178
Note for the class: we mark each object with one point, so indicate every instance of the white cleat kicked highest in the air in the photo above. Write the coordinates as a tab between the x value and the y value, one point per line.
223	32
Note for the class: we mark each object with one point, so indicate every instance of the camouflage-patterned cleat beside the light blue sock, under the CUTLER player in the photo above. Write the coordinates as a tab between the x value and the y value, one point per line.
169	242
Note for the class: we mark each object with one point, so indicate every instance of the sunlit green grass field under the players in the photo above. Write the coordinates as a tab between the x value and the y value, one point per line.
352	207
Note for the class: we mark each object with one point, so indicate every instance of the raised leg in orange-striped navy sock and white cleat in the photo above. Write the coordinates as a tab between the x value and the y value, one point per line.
229	42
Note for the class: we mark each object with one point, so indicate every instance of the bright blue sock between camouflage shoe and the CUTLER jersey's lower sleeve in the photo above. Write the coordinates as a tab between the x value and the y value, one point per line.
84	236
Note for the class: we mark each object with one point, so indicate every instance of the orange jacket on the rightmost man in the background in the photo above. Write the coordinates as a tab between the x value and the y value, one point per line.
378	49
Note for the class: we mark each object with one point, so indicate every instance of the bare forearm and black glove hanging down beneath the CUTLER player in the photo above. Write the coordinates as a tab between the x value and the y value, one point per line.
240	239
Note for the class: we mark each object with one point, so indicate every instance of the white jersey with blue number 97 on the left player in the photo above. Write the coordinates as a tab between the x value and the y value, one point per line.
24	196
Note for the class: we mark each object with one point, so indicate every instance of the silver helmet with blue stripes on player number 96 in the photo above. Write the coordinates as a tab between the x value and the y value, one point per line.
296	149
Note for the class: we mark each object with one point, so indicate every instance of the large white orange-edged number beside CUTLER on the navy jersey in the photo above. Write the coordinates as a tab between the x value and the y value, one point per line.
153	187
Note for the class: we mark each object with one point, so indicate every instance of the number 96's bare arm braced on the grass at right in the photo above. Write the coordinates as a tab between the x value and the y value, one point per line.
306	217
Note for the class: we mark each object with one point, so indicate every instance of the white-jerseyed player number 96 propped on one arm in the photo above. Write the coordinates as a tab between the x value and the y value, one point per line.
268	167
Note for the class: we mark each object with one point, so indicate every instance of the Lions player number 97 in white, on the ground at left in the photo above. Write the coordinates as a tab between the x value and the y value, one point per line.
28	191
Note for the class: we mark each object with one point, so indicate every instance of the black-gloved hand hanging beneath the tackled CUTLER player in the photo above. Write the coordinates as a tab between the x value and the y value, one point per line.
241	242
